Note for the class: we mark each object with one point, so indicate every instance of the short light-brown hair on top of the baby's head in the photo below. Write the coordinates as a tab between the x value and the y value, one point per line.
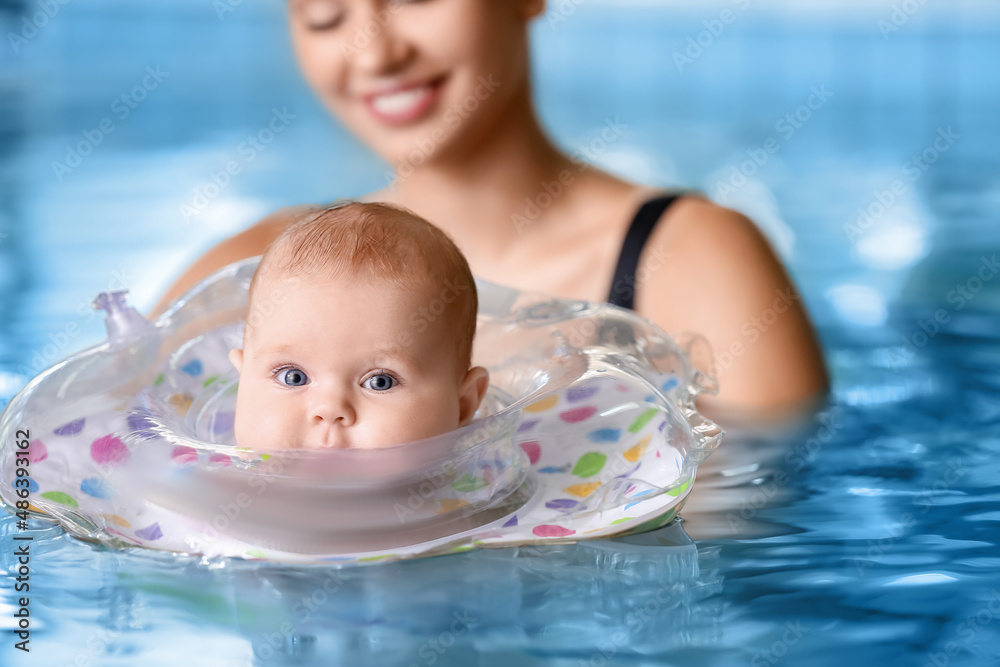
383	244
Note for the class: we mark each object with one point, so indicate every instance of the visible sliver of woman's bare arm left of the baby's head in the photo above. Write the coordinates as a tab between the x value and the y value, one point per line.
248	243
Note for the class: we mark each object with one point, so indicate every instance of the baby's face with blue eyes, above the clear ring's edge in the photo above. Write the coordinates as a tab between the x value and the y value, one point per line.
333	364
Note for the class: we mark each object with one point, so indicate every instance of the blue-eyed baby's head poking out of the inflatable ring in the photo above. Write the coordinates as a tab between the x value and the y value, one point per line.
359	334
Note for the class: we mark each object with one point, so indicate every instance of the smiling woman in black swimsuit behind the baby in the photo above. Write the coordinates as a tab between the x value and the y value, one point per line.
440	89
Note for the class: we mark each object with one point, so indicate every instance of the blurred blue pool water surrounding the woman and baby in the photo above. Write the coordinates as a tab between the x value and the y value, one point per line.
866	536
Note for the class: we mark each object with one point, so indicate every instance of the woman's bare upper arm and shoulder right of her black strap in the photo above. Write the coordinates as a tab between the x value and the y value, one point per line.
709	270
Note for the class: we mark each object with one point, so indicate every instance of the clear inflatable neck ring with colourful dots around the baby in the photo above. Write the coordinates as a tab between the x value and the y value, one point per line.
588	430
